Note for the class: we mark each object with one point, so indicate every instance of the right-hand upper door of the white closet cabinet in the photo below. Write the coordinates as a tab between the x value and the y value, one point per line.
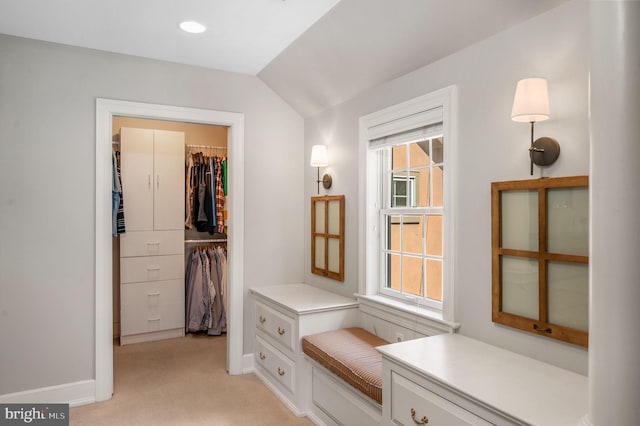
169	182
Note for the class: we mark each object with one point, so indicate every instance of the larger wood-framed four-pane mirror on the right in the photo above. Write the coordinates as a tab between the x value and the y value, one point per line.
540	256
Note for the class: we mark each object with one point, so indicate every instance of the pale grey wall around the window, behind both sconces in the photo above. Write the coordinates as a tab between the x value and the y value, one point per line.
491	148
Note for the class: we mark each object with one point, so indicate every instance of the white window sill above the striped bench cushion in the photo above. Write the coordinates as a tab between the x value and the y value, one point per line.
421	319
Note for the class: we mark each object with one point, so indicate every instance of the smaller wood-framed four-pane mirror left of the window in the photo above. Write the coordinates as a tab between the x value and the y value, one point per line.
327	236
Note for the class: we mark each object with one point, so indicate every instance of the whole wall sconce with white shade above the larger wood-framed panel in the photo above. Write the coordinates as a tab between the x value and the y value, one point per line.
531	104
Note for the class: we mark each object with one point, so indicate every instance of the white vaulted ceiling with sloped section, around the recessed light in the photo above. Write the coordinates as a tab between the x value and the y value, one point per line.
314	54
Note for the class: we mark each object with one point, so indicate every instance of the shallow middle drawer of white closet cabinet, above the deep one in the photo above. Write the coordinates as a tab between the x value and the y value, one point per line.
151	268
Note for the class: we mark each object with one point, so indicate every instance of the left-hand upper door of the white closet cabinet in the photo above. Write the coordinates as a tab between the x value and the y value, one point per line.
136	169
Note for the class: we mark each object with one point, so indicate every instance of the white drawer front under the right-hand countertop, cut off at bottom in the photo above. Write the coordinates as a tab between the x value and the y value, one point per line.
410	402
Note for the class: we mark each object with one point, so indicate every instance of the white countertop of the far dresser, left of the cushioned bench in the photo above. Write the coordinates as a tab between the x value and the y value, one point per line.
303	298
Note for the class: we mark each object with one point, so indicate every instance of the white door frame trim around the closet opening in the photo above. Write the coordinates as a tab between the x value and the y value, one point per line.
105	110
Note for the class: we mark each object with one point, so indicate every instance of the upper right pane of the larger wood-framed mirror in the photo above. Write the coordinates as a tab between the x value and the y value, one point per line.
568	220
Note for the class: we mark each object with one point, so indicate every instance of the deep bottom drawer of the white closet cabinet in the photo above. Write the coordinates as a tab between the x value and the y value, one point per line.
151	306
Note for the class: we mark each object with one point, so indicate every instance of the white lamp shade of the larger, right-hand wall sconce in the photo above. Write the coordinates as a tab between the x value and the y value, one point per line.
531	101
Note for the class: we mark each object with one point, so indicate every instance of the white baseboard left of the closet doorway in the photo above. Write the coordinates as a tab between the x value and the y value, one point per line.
74	394
